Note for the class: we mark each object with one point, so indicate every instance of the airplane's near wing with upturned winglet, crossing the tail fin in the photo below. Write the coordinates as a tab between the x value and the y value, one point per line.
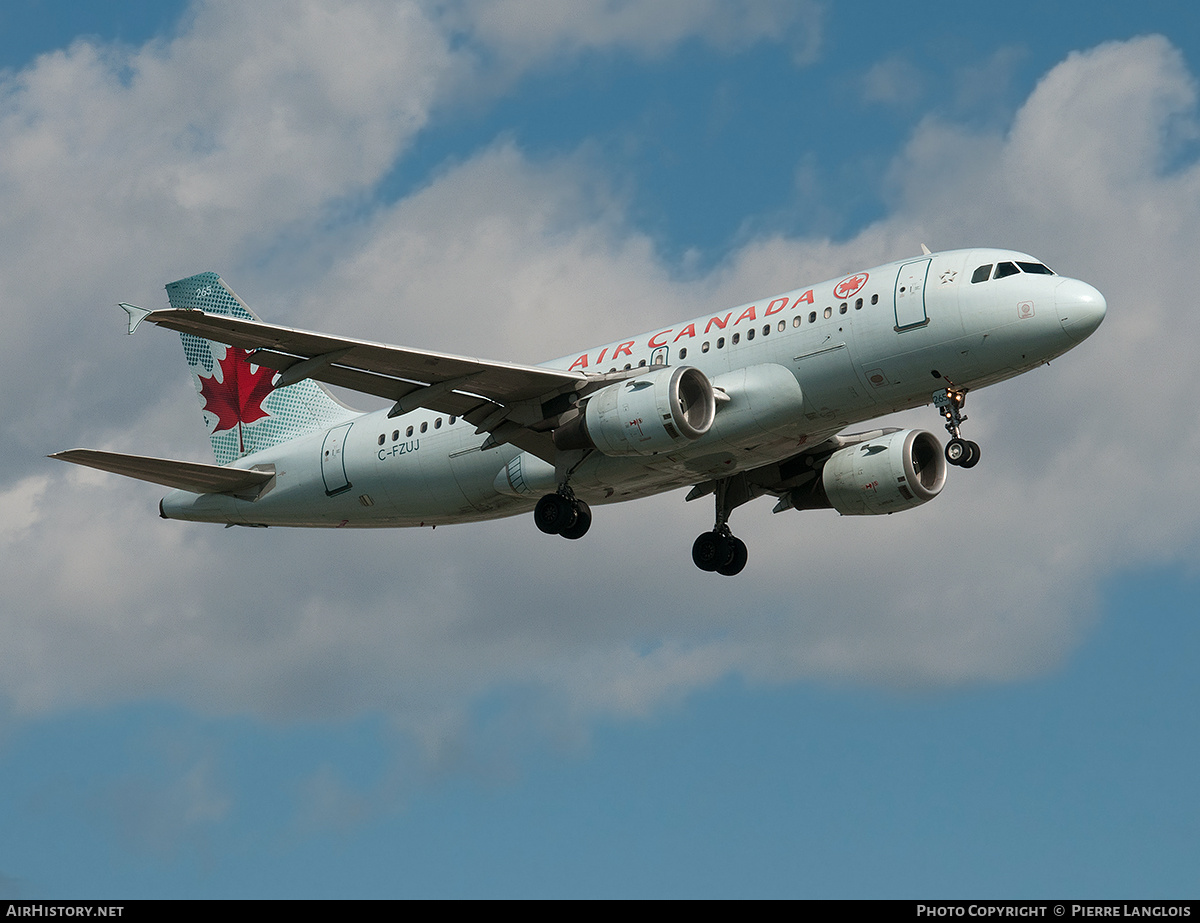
515	404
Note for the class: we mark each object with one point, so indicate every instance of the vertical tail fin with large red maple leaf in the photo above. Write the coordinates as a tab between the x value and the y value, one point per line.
243	410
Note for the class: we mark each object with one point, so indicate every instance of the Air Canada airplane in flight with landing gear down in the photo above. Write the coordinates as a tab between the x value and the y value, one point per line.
741	404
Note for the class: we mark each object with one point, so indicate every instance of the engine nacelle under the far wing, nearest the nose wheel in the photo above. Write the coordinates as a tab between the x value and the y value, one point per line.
892	474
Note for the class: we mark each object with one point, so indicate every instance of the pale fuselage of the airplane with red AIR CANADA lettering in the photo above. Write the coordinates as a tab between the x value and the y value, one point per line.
799	368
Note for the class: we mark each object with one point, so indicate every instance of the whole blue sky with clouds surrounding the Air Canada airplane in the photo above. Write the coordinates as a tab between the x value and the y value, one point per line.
993	696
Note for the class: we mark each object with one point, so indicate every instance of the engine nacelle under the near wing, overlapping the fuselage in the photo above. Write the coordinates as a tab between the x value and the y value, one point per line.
653	413
